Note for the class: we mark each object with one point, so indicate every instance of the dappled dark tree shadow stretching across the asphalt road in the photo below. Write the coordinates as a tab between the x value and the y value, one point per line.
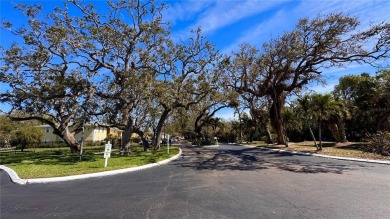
256	159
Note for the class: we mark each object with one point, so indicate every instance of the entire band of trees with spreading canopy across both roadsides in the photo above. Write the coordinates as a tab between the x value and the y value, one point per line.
124	69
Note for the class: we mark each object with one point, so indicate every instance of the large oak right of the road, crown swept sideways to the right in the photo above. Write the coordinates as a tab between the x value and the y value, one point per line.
298	57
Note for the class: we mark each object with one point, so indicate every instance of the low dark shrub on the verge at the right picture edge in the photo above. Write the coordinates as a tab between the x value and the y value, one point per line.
379	143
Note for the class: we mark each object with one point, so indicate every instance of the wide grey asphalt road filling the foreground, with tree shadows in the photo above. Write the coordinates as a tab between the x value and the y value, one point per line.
224	182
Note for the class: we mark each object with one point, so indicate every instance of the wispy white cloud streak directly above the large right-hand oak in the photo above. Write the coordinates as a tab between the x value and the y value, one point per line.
368	12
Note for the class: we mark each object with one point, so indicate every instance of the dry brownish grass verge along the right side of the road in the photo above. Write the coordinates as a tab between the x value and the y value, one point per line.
348	149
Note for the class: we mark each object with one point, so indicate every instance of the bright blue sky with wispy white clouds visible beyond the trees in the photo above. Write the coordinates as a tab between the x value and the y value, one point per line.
228	23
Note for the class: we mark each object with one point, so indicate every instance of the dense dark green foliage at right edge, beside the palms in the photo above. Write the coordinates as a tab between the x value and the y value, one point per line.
367	98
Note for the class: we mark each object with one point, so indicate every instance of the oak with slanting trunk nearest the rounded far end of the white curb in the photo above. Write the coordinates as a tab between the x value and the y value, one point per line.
189	76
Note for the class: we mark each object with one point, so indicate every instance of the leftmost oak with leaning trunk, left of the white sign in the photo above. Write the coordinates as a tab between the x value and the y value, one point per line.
43	82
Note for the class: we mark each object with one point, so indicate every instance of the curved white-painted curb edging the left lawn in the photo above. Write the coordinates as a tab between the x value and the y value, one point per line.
16	179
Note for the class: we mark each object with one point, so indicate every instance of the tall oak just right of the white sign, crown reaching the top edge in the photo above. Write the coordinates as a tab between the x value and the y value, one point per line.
123	48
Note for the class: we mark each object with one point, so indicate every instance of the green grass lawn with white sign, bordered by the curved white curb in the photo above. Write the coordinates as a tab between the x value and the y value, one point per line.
52	163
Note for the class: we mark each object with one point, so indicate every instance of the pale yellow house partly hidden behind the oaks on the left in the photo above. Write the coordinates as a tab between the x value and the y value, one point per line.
91	133
